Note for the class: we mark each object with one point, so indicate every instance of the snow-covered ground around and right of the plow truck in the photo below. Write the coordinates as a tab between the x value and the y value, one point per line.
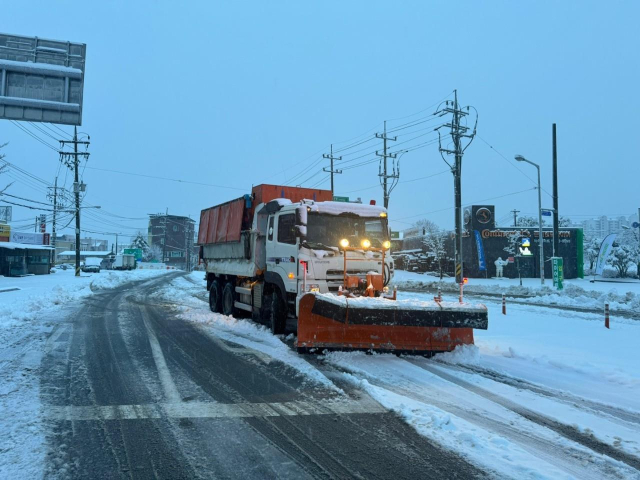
544	393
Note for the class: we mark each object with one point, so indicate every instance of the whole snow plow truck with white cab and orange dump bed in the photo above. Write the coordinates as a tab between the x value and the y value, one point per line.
289	252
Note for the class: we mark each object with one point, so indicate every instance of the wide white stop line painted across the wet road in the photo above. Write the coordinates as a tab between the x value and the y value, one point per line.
211	410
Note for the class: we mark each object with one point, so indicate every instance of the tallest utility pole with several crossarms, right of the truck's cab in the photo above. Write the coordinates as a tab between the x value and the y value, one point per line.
458	133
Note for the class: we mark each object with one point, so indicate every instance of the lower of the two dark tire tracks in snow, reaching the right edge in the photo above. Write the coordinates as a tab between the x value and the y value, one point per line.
566	431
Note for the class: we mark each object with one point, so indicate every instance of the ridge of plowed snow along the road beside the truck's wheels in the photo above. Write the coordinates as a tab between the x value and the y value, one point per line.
237	331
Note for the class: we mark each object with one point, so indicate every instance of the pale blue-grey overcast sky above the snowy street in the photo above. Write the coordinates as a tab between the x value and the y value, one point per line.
237	94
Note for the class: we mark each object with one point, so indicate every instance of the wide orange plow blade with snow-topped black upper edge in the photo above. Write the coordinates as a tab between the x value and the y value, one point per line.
365	323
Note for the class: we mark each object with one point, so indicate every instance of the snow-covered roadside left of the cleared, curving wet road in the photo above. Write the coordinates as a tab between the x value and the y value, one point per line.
30	309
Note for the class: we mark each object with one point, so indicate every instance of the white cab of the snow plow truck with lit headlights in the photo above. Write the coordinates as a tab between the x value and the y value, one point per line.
304	240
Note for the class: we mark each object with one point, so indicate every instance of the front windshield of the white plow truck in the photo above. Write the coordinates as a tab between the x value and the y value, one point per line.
330	229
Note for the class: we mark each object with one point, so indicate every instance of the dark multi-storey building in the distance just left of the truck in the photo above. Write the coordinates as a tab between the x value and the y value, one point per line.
174	235
